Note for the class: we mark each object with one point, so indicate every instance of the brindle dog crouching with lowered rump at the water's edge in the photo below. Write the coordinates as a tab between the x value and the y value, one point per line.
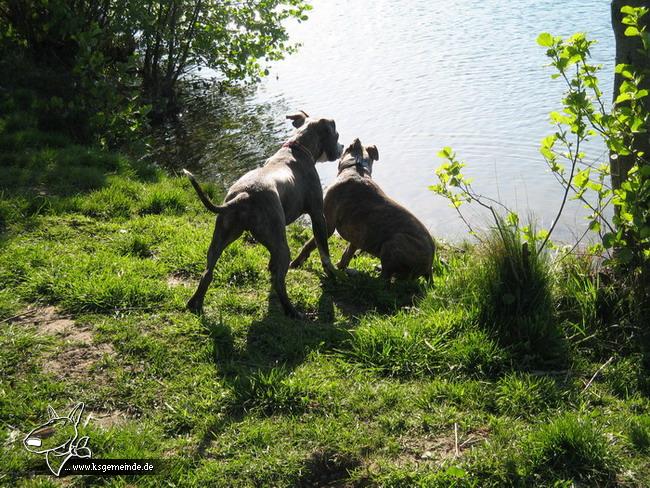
369	220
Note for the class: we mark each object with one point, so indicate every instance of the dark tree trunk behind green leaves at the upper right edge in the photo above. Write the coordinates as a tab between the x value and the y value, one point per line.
627	51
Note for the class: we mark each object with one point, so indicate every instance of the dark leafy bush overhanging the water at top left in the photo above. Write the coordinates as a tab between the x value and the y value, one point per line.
100	68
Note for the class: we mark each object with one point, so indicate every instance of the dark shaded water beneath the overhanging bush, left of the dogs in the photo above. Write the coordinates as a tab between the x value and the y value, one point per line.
220	134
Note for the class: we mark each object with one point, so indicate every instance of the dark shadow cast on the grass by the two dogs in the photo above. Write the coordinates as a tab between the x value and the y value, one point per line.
276	345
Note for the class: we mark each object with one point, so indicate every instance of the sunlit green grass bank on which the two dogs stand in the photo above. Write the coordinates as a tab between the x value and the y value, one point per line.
477	380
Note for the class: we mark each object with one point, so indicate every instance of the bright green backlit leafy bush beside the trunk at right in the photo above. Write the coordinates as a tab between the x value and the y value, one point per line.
624	130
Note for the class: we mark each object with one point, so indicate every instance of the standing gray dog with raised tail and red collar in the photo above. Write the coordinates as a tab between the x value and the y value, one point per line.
267	199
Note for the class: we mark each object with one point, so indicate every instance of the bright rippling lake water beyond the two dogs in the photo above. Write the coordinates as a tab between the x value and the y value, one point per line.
414	76
